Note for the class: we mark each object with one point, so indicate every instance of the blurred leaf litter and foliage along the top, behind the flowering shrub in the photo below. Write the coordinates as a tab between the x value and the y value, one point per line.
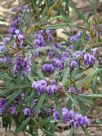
75	10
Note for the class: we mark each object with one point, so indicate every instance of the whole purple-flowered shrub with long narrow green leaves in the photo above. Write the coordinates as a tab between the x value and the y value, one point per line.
44	79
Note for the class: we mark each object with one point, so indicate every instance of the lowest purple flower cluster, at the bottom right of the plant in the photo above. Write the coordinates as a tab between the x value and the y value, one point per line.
76	120
